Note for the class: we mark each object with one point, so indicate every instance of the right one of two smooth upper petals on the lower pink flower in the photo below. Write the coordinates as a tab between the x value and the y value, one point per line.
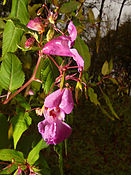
67	102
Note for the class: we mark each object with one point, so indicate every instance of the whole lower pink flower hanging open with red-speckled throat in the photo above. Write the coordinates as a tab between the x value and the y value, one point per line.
53	129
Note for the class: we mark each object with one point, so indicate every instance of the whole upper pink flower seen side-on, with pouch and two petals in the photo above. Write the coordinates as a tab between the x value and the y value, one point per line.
62	46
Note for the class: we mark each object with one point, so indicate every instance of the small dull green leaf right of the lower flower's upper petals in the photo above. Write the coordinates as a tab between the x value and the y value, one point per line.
93	96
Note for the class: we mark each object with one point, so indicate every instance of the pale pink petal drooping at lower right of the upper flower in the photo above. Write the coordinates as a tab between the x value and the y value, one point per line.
79	60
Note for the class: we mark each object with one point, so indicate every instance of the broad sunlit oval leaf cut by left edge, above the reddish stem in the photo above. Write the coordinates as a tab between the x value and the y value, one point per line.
11	75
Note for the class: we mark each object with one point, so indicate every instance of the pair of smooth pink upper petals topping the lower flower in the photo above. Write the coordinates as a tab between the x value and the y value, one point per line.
62	98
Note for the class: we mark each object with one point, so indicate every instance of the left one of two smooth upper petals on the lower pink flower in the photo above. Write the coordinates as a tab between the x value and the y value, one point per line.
54	99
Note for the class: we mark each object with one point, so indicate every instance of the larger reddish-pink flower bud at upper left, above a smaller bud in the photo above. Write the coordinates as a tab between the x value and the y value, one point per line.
36	24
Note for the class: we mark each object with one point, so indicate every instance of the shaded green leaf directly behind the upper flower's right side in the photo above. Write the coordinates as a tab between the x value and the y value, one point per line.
83	50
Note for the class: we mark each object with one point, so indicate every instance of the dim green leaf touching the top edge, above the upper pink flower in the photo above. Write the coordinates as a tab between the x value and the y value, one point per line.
69	7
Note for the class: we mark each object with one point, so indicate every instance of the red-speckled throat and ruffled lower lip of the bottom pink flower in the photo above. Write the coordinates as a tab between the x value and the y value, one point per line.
53	129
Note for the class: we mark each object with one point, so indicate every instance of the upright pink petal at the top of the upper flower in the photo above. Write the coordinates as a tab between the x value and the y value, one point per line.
72	31
